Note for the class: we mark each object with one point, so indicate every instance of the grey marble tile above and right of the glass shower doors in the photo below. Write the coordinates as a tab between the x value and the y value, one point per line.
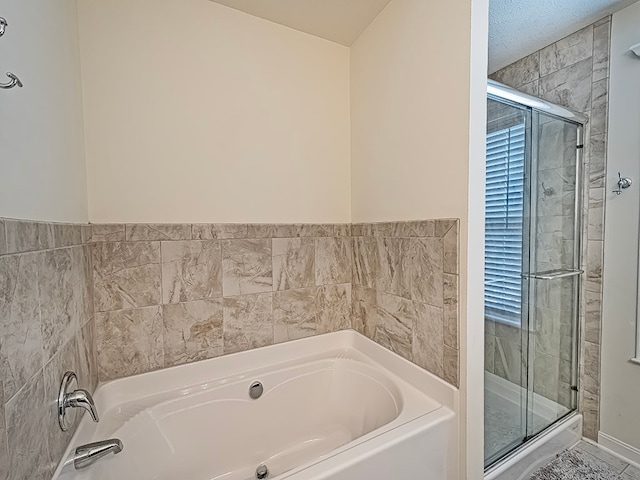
574	72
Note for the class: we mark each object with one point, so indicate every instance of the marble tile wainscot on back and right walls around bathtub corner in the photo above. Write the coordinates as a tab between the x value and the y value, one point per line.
172	294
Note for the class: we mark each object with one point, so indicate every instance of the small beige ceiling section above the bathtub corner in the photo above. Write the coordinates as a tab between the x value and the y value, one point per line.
341	21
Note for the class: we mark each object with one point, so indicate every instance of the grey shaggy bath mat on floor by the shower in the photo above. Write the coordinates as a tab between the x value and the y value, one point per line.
576	465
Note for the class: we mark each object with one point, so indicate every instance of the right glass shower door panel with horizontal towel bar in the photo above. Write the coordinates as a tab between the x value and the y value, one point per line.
554	260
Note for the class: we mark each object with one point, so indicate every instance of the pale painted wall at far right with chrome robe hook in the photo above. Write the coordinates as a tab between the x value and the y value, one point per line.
620	396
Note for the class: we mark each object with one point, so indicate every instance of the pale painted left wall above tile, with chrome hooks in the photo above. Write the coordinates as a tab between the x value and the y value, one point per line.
42	167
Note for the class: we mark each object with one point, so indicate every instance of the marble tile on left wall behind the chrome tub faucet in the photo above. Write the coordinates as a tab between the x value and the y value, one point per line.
46	328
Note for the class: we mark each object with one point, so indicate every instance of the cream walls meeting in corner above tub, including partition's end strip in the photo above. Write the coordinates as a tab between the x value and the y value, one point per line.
198	113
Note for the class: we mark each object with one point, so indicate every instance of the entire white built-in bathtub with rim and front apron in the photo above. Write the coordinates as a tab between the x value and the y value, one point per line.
335	406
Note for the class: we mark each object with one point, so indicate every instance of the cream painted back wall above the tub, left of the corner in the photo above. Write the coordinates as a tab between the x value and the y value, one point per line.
196	112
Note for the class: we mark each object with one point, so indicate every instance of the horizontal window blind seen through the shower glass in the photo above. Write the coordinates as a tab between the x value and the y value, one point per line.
503	223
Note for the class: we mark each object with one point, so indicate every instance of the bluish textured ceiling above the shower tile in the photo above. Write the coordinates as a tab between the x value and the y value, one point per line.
520	27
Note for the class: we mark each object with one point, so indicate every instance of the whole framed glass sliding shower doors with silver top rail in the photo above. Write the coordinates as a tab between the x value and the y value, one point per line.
532	267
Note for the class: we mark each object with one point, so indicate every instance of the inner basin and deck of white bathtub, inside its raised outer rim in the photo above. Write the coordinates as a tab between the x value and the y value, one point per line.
312	407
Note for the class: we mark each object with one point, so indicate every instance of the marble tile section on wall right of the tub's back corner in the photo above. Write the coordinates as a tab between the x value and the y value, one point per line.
405	291
